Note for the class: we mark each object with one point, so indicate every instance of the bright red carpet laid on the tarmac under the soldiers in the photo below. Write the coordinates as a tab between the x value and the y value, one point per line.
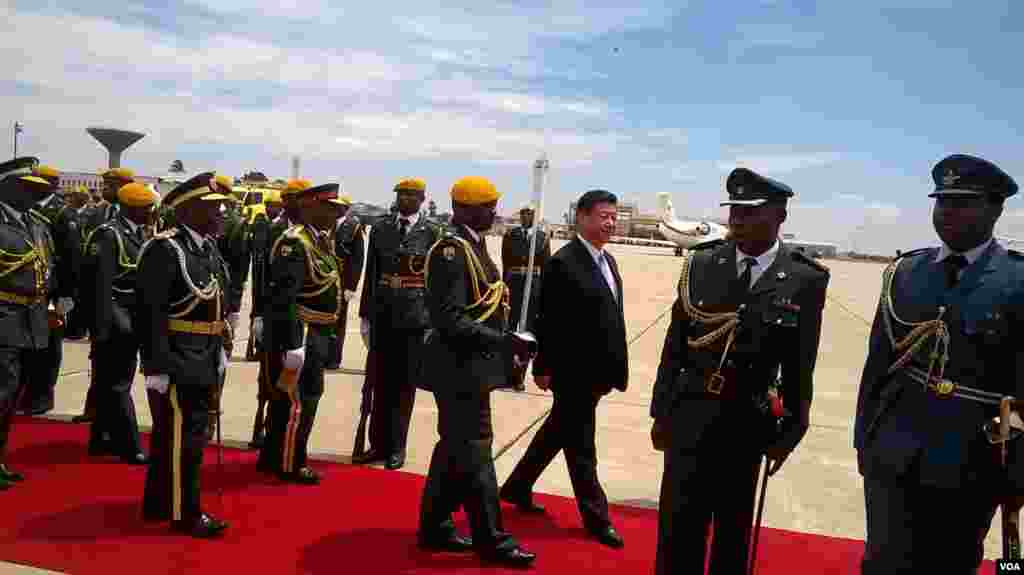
81	515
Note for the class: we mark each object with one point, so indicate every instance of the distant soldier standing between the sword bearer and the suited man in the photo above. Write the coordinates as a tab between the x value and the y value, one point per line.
516	262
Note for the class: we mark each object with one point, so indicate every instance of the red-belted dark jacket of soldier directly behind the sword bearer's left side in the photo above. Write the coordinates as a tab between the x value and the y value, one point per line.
394	292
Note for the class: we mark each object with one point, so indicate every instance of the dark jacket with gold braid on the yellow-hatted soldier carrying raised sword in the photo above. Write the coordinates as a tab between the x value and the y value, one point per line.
468	306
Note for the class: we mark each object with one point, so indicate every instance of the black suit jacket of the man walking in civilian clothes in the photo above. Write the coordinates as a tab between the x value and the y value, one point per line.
581	329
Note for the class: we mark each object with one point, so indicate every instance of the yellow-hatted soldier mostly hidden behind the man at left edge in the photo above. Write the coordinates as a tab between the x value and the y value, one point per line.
46	368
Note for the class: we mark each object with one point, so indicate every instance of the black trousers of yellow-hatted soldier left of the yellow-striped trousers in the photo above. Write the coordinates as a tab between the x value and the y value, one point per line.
115	362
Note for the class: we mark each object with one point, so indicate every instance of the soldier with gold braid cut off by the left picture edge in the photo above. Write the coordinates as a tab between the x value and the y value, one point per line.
27	285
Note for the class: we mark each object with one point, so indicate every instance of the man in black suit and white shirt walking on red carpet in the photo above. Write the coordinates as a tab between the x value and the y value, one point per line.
581	331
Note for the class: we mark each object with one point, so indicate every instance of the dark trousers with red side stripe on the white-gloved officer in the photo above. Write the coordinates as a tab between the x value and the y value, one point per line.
293	415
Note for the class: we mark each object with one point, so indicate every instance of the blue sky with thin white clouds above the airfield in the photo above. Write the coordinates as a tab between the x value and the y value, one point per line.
850	104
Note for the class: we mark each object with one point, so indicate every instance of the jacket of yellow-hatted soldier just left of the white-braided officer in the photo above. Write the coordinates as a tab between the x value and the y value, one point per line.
114	250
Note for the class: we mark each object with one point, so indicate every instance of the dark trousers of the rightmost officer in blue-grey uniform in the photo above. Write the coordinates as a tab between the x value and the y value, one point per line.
913	528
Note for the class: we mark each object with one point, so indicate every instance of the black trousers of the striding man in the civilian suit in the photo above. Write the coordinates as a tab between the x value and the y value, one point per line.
569	428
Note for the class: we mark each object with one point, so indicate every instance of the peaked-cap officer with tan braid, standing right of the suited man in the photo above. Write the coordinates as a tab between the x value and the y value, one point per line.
748	320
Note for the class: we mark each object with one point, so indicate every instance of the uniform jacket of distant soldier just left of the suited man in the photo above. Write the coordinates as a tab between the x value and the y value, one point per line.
516	260
